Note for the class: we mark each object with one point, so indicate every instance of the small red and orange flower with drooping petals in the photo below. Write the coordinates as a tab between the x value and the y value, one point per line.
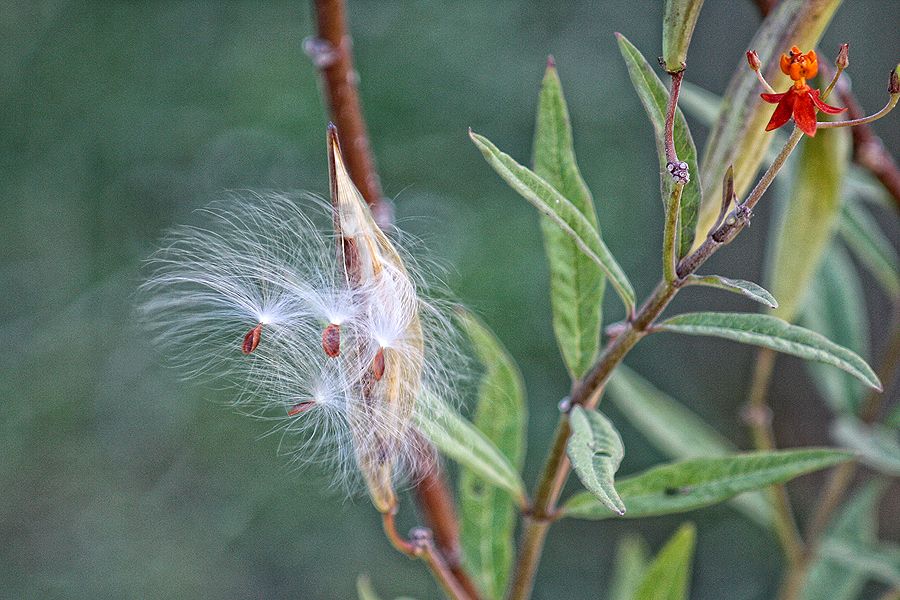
800	101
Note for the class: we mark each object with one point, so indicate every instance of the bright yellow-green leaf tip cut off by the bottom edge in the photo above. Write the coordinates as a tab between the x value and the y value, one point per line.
668	576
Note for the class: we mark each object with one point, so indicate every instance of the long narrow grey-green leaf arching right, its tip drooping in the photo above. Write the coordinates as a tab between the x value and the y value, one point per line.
771	332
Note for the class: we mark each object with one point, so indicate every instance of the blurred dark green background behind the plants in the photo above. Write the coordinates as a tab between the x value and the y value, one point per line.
118	119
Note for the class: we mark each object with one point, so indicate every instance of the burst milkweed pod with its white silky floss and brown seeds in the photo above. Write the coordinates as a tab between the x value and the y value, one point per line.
326	334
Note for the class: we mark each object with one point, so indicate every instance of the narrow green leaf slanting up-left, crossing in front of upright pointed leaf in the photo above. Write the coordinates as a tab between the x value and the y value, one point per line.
566	215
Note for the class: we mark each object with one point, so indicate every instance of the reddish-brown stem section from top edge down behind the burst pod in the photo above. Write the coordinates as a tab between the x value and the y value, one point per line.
332	53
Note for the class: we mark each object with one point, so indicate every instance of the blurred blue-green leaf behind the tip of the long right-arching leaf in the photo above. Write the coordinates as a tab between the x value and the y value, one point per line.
835	307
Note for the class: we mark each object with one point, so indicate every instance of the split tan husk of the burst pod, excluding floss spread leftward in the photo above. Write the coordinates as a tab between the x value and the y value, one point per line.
382	418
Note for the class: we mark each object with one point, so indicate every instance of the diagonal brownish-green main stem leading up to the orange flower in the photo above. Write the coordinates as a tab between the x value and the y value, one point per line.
587	391
